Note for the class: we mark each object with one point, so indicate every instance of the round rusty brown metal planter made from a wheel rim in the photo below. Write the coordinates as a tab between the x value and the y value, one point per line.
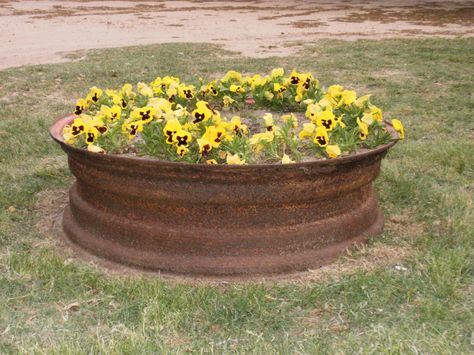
219	220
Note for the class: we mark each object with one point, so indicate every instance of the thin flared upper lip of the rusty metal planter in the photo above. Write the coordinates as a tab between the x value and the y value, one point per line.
56	128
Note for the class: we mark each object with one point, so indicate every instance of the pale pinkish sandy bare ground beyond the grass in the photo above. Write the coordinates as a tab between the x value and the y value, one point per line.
34	32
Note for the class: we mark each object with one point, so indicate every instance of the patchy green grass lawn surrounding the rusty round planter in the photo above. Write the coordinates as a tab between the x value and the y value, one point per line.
423	303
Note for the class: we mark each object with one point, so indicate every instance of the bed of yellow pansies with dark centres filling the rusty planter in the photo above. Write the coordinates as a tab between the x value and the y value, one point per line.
237	119
